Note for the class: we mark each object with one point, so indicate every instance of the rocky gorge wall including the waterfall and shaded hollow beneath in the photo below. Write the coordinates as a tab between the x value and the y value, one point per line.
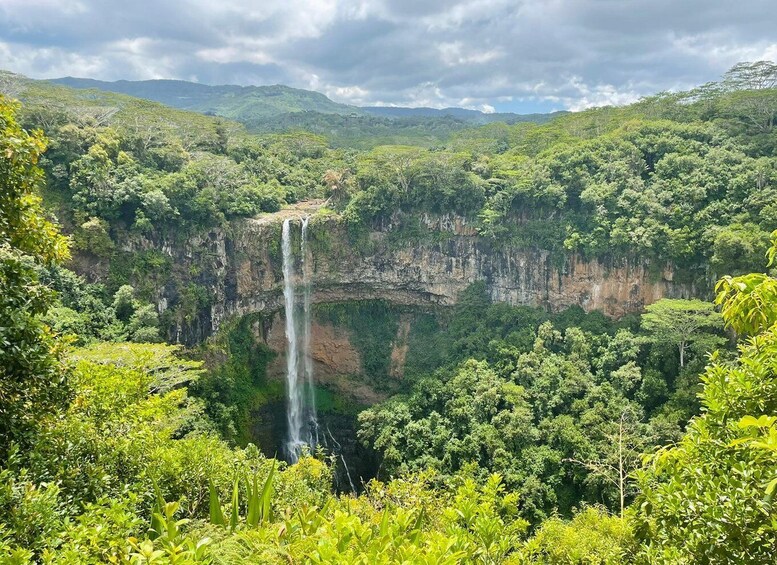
297	271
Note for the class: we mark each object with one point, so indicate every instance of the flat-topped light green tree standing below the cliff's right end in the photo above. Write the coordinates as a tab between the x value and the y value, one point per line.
682	323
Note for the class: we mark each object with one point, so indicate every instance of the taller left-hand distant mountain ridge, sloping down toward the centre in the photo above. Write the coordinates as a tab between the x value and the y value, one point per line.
241	103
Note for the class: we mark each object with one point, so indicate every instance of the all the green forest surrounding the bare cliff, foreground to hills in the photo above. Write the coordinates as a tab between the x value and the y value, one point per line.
517	435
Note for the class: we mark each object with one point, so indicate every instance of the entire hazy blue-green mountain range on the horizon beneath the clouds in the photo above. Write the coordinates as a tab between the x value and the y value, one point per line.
282	109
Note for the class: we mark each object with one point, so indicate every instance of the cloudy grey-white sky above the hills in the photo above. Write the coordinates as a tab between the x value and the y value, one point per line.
508	55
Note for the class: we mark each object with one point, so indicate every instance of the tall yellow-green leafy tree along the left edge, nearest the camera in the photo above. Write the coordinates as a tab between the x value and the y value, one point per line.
32	380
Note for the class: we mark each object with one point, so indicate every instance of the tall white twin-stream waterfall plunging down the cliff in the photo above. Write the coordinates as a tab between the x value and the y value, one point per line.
301	405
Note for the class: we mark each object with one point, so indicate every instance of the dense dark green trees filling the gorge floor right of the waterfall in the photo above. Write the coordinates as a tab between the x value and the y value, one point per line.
562	410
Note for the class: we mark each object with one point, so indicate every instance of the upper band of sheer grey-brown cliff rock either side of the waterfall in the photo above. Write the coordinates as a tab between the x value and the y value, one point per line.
242	270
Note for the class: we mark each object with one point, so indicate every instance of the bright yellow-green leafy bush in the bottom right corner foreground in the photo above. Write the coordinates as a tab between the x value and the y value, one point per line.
712	485
